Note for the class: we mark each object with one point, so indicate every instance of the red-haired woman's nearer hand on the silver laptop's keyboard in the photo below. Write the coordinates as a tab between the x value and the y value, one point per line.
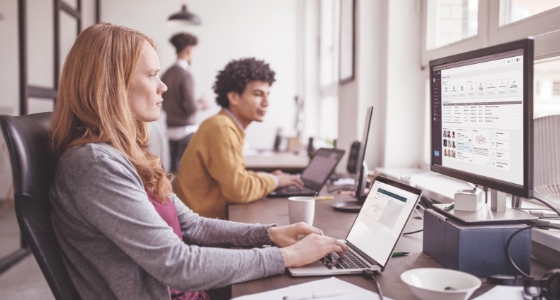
310	249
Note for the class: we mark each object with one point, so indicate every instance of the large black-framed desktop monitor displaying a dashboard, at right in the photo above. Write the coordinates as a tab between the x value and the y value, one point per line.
482	117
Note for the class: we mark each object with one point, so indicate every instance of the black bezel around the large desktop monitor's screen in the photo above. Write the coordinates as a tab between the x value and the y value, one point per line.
526	190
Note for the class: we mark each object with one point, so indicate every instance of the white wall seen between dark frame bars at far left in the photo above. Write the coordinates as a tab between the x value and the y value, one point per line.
40	60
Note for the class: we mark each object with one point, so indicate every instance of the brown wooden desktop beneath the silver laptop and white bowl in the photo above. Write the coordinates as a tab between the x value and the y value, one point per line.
337	224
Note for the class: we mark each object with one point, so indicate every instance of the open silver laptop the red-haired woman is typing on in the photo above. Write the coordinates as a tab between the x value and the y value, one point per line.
374	234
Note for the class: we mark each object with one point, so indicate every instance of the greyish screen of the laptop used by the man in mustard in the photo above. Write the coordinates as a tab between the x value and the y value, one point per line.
321	167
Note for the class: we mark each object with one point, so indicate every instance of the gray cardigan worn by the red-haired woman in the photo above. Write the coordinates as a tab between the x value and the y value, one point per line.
116	246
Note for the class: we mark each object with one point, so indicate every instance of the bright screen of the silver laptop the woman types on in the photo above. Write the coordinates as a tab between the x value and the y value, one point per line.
381	220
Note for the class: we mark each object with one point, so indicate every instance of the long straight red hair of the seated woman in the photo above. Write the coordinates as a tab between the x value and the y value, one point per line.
93	104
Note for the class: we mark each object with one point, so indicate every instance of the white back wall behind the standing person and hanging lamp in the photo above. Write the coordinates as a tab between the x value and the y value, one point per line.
265	29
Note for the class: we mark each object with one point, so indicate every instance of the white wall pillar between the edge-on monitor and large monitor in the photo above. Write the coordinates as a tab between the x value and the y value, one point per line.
388	76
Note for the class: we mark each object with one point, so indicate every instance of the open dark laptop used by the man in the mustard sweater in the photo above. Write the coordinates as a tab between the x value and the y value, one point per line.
315	174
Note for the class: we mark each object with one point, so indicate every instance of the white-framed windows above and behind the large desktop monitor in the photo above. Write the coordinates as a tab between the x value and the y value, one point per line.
457	26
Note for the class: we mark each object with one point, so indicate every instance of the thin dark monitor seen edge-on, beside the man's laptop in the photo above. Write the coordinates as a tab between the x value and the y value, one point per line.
355	206
